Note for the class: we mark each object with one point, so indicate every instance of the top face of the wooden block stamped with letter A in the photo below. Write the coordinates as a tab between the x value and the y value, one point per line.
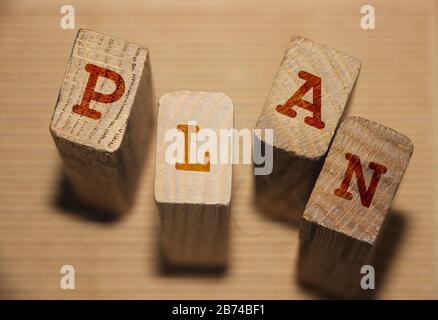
308	97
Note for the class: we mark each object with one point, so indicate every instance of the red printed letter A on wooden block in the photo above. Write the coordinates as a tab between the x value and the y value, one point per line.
314	82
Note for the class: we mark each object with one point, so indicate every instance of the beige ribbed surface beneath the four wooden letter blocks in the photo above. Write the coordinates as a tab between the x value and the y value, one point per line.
211	46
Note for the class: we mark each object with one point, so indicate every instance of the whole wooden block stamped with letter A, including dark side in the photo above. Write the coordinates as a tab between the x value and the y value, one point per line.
303	107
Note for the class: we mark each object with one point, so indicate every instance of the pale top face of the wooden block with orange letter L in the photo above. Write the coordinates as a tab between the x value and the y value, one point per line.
195	183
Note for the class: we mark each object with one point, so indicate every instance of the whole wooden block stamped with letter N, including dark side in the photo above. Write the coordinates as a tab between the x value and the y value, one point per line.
348	205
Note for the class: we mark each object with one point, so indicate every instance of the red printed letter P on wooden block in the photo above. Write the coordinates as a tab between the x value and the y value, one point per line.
89	94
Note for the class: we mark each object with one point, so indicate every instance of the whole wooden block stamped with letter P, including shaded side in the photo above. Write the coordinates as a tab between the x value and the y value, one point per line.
102	119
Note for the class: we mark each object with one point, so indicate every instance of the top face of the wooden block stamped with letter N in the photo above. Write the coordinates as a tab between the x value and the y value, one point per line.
338	202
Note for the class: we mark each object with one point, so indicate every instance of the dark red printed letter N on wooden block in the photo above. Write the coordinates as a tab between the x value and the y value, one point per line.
354	166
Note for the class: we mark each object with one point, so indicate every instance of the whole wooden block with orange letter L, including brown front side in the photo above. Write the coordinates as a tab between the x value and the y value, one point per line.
193	193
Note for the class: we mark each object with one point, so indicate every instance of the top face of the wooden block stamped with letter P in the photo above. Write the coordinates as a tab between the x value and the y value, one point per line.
98	90
